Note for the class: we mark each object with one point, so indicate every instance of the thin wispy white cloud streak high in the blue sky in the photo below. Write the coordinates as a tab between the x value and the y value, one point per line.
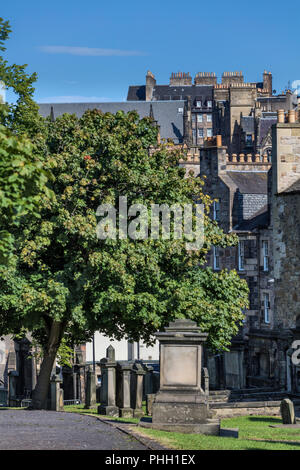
87	51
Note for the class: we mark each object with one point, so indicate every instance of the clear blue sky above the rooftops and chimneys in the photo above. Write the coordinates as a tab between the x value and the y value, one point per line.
92	51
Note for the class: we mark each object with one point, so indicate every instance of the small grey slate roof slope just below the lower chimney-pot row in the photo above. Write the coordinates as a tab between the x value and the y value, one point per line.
250	182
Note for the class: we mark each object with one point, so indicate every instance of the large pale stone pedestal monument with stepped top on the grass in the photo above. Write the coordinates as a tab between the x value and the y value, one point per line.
182	403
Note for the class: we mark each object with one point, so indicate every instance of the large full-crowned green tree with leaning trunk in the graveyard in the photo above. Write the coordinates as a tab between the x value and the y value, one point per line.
65	281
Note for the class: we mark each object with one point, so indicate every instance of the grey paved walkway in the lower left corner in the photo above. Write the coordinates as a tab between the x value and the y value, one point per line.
43	430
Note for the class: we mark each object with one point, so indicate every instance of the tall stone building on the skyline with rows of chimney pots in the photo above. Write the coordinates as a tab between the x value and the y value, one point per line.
241	112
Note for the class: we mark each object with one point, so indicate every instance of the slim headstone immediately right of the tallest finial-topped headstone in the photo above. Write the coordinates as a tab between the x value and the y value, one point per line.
123	389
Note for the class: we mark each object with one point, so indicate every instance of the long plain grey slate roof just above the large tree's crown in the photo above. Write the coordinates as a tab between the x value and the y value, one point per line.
165	112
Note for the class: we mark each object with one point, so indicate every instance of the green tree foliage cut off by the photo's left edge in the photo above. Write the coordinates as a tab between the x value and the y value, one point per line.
22	177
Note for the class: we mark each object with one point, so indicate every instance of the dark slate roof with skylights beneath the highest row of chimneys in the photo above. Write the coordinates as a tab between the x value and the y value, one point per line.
167	92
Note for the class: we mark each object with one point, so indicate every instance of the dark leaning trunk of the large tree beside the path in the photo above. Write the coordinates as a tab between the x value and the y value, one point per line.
40	393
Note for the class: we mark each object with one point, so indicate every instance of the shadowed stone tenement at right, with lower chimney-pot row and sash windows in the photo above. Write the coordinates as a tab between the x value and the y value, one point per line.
260	204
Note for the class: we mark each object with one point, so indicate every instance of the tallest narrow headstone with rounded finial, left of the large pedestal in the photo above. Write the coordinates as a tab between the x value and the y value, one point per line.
108	385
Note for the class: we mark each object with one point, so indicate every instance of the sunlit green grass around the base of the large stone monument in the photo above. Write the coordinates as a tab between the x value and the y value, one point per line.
254	433
